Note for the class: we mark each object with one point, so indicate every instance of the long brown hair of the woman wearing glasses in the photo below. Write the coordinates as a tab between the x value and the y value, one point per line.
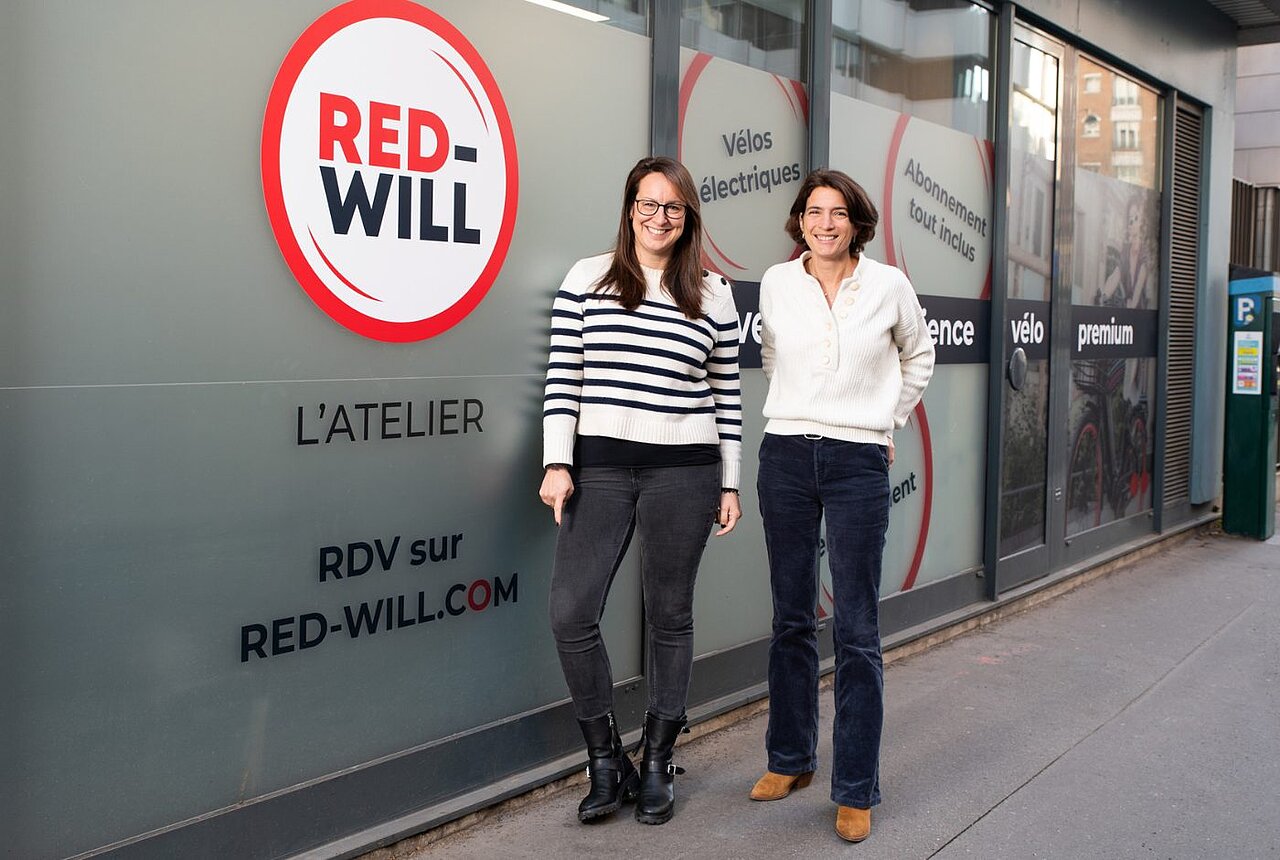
683	278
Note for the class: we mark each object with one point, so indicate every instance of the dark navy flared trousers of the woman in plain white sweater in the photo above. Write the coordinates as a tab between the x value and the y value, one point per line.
801	481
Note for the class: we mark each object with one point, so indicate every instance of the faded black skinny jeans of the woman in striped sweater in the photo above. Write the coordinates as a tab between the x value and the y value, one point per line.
673	510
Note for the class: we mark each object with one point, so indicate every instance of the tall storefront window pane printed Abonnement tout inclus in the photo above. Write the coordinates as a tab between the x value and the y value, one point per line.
911	97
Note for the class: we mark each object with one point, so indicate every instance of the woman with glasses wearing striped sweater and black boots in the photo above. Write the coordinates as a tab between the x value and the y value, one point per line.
642	434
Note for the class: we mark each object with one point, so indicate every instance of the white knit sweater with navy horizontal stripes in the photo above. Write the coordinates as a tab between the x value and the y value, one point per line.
648	376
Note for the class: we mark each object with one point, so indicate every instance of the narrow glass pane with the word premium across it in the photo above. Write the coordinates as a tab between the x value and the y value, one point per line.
1114	299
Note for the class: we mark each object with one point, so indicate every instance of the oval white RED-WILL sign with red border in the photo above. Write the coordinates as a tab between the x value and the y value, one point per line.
390	170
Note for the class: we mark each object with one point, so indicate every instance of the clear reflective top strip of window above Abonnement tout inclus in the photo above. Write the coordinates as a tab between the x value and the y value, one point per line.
926	58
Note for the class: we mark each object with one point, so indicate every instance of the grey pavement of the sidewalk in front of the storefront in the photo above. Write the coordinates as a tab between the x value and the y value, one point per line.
1135	717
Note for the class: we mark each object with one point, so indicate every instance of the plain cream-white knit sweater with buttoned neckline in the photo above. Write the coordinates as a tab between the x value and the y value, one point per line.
851	372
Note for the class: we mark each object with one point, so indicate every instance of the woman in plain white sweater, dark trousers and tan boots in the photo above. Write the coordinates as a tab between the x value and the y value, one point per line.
848	356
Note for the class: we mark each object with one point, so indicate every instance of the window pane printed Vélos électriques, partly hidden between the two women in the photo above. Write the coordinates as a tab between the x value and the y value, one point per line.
744	113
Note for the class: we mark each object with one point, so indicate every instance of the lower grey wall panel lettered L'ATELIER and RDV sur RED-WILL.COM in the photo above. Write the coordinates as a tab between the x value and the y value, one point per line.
139	557
